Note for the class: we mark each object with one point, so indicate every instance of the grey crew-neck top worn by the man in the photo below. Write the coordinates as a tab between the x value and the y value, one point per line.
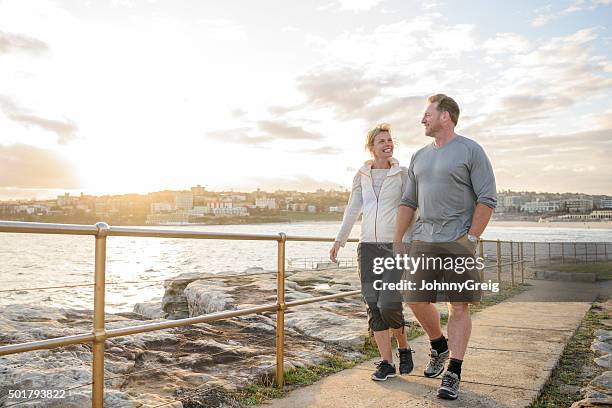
445	183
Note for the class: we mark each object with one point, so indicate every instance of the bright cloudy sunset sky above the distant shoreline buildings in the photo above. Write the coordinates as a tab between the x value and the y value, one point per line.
111	97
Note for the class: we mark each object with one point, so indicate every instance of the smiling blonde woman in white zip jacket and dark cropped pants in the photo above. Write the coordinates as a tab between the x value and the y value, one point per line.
378	187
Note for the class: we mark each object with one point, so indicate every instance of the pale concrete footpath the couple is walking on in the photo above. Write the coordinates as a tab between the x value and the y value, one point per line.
513	348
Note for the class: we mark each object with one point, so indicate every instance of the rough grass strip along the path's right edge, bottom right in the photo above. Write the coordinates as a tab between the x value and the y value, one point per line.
576	367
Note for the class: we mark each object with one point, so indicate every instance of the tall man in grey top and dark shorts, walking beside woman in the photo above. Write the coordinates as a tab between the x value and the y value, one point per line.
451	182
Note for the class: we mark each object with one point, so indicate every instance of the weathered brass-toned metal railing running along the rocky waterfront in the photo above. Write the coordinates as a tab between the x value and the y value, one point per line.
101	231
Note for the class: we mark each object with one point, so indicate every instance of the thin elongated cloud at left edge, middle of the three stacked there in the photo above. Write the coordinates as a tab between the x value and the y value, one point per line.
64	129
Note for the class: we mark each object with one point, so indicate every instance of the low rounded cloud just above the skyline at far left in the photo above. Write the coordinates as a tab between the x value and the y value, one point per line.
25	166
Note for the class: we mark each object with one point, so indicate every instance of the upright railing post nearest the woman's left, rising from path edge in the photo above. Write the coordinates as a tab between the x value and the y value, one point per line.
280	313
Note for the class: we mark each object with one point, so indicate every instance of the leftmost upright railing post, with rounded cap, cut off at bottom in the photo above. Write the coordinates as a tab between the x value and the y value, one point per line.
97	394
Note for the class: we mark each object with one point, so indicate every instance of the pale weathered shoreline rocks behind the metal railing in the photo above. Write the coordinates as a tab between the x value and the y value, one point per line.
152	368
